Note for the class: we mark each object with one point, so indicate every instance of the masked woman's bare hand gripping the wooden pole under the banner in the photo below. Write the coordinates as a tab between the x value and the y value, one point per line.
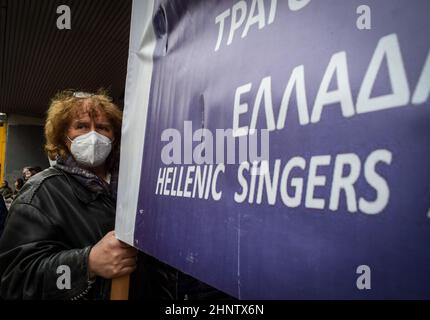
111	258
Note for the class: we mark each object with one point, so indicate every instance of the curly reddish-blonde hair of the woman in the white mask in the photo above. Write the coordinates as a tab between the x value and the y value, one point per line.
65	106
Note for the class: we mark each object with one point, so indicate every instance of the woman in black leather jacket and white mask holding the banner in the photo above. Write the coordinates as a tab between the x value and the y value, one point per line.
58	241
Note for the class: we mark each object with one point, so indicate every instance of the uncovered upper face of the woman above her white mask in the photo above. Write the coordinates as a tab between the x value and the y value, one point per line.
83	123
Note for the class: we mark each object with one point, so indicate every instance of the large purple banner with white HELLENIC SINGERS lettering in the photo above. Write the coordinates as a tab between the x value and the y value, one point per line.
281	149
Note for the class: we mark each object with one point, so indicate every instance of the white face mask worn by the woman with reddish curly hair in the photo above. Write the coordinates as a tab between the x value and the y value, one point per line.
91	149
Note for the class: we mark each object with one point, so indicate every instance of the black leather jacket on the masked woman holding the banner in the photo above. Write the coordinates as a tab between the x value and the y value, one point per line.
53	222
